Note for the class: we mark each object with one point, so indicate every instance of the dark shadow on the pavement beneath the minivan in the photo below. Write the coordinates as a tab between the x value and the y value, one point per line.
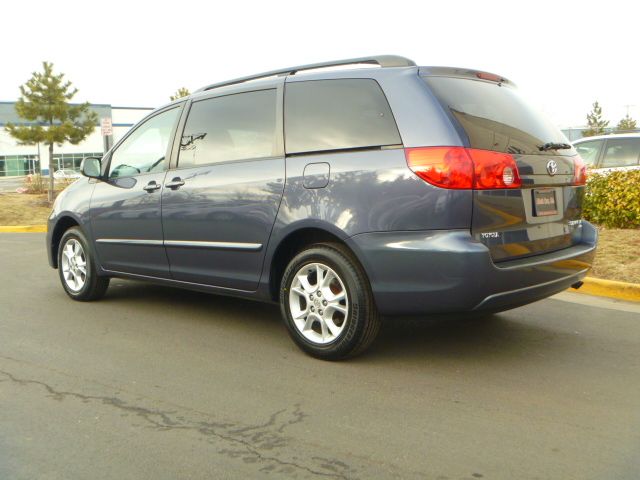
513	334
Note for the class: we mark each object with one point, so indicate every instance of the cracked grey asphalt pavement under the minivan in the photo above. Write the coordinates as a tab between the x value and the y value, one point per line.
168	384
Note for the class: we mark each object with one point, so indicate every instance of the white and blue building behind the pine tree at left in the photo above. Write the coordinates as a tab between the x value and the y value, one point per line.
24	159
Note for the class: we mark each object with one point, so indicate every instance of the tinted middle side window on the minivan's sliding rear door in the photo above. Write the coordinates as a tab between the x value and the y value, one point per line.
233	127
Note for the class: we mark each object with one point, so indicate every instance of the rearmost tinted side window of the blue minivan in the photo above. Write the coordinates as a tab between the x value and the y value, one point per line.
337	114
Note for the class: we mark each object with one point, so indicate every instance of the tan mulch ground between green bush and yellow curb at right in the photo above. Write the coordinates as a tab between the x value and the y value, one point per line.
618	256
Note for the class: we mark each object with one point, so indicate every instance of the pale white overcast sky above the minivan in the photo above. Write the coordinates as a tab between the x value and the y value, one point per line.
563	55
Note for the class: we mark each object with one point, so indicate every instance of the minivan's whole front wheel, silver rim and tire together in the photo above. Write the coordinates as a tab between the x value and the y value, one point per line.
77	268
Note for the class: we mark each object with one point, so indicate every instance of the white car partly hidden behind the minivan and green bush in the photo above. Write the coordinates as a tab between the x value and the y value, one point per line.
605	153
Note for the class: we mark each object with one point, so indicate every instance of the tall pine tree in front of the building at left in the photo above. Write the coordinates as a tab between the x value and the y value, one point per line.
44	102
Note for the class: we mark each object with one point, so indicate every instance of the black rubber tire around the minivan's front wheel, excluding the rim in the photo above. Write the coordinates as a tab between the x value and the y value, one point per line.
94	286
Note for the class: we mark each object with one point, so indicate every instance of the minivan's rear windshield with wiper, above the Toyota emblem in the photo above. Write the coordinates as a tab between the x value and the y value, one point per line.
495	117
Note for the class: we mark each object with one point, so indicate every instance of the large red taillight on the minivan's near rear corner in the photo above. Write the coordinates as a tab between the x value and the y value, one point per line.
464	168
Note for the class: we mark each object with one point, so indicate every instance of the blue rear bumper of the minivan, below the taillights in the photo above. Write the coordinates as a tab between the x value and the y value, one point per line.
448	271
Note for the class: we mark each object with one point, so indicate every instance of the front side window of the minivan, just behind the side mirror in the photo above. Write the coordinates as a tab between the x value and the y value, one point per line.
145	149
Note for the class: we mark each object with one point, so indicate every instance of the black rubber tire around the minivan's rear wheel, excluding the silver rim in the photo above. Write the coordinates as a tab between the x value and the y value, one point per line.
362	321
